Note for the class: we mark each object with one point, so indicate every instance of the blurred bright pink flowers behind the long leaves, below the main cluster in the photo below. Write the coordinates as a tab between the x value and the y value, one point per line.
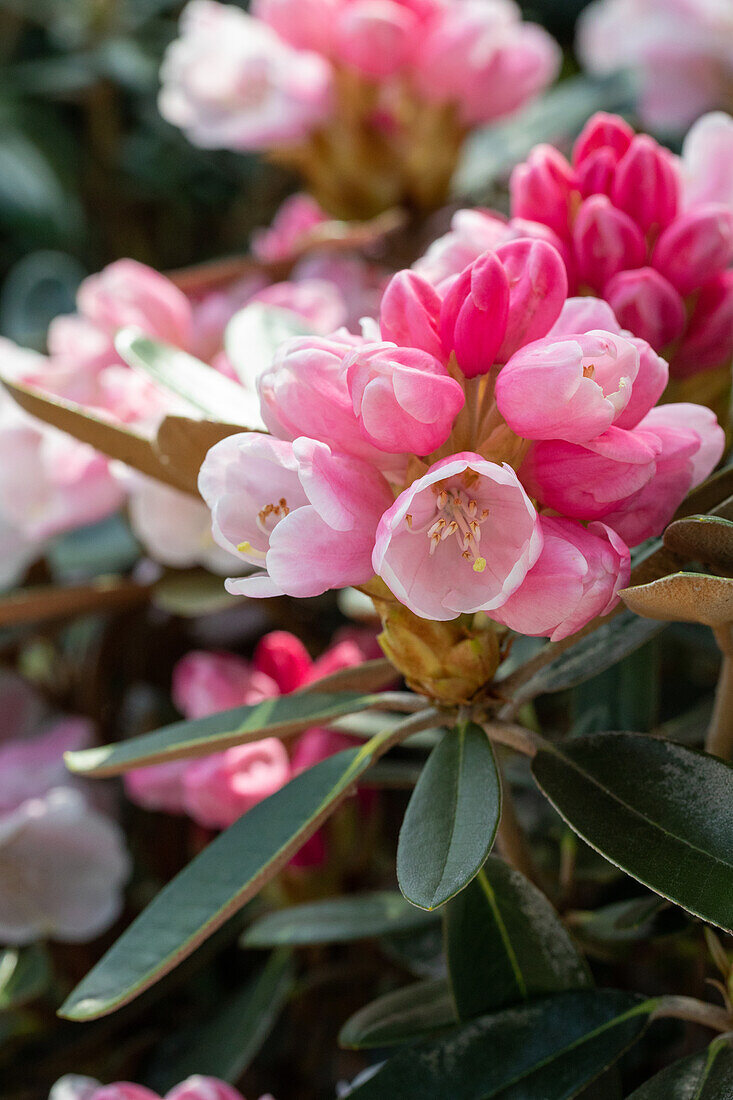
218	789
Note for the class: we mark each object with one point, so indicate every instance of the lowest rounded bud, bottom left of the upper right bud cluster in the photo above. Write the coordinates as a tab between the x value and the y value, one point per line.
648	305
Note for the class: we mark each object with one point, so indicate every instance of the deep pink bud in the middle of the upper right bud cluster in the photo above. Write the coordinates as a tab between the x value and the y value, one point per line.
607	241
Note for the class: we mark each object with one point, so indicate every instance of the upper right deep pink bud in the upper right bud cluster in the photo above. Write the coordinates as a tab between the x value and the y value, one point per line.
647	184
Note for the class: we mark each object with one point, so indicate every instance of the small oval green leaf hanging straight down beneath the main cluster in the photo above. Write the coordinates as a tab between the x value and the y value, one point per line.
452	820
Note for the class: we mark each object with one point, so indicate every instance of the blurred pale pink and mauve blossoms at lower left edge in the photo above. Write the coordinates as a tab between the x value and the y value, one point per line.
63	861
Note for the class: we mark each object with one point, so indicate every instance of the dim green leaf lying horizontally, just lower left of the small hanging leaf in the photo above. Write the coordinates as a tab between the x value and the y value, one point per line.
338	920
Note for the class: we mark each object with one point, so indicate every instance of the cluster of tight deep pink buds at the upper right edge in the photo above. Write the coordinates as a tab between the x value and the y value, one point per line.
650	233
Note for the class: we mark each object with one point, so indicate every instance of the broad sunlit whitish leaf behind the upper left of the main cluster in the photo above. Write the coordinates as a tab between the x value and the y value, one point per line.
255	335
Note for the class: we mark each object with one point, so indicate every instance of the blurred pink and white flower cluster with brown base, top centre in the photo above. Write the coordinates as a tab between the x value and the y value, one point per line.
370	101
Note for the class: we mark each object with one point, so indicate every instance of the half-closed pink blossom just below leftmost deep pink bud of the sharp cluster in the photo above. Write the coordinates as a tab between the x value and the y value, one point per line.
403	398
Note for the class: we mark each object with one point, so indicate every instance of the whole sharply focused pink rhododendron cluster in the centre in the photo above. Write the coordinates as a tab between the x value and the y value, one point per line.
496	442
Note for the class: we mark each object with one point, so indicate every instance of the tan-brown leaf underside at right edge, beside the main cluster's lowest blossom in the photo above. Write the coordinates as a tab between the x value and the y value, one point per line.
684	598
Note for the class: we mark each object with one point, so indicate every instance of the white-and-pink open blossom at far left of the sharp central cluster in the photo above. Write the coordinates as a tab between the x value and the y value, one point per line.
316	529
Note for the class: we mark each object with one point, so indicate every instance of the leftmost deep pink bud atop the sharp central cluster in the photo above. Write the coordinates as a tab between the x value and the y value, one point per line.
410	313
